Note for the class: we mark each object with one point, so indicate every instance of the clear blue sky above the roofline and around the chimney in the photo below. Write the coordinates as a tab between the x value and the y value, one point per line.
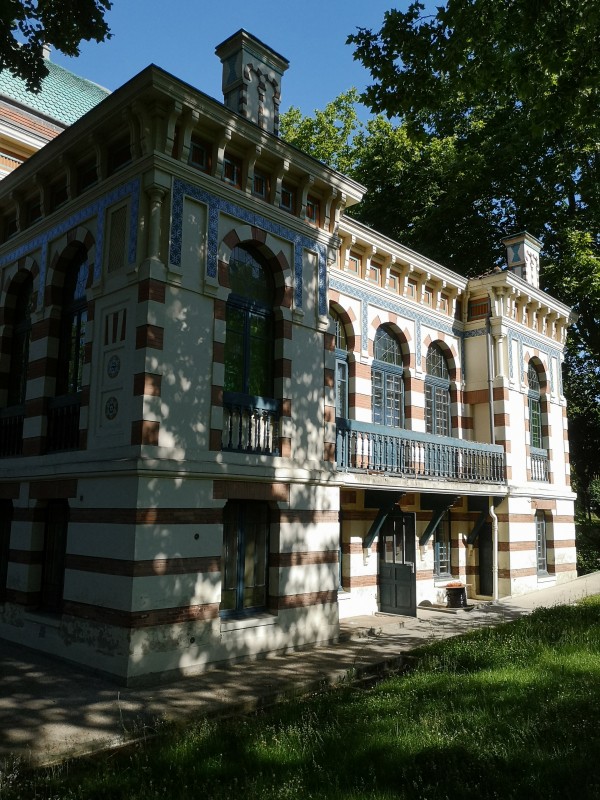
181	35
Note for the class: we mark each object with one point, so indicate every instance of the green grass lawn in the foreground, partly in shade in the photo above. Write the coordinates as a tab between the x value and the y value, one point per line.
506	712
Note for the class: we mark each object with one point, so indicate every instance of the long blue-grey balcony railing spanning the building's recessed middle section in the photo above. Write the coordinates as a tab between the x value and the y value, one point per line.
368	448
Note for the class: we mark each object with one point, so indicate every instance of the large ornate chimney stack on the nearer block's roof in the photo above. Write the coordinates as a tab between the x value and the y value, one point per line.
252	75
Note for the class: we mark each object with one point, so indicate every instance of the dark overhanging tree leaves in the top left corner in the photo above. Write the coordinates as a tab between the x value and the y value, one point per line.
28	25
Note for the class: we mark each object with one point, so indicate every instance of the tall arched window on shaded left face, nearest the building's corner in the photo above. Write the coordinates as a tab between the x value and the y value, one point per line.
63	409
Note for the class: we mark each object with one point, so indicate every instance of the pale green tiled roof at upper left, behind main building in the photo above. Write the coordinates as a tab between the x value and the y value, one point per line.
64	97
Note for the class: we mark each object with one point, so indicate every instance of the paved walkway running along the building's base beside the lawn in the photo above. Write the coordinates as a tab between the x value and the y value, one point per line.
50	710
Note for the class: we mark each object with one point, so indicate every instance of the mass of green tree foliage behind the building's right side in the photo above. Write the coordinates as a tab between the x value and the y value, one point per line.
488	124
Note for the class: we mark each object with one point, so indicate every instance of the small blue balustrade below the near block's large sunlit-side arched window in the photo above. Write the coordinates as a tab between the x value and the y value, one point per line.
250	424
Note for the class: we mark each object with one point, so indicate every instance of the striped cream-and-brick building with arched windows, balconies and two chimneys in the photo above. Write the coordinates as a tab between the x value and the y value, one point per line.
231	415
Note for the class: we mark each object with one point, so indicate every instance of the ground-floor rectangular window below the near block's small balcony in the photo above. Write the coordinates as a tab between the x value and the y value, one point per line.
245	557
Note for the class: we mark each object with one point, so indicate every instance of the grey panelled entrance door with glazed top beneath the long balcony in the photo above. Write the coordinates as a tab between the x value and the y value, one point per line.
397	578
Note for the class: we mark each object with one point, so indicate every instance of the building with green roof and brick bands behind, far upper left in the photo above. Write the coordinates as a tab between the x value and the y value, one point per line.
29	121
